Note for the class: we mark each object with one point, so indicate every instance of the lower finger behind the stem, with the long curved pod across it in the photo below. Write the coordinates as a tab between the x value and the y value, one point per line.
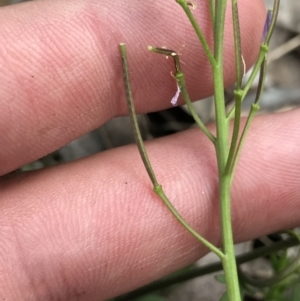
94	229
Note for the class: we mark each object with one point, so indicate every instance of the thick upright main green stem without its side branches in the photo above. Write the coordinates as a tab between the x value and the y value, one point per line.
222	151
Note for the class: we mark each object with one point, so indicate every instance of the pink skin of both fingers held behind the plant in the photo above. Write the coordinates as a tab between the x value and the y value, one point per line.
93	229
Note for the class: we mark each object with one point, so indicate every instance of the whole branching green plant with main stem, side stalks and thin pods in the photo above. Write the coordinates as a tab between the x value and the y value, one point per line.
227	154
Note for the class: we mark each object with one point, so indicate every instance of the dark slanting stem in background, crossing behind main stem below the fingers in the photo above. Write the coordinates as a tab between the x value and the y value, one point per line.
208	269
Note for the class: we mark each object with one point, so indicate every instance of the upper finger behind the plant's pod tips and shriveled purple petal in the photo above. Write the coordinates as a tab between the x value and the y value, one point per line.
61	72
